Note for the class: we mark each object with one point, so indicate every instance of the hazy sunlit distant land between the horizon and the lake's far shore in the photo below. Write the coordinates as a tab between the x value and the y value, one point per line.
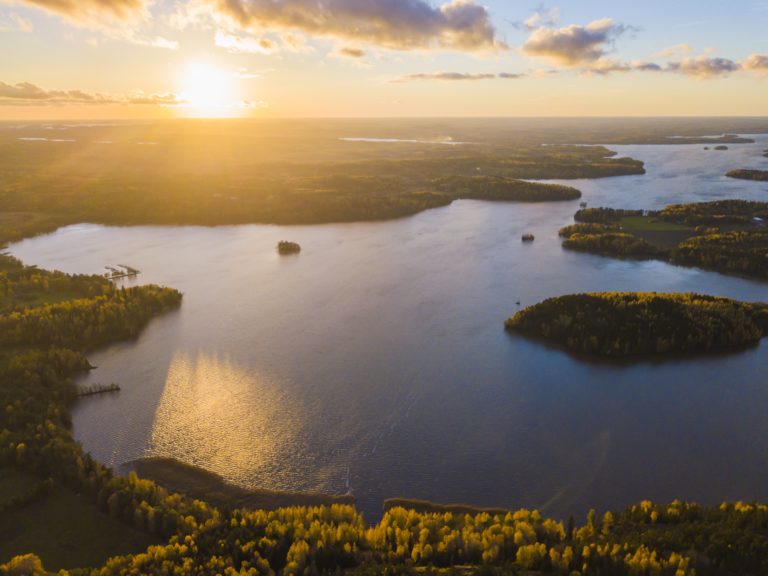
308	172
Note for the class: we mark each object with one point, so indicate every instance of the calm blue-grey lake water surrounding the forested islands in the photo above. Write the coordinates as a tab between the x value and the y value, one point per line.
377	359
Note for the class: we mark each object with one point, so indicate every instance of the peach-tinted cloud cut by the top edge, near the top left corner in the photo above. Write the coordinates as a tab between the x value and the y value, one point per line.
93	11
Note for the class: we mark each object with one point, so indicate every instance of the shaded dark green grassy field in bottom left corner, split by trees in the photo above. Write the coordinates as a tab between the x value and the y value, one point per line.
64	530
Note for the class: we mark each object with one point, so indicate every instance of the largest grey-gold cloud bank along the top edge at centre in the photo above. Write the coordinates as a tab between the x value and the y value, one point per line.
396	24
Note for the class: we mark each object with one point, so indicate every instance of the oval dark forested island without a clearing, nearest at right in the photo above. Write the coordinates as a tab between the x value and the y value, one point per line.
619	324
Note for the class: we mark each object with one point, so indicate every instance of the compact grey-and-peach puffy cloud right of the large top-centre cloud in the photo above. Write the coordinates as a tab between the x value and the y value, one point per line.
574	46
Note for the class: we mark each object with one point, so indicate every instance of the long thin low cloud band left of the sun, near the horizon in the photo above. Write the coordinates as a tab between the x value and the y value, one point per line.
26	93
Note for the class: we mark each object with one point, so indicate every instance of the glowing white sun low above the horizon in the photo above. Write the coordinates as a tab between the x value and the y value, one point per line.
208	91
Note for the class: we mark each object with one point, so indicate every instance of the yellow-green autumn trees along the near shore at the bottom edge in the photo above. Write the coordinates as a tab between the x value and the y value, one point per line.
676	539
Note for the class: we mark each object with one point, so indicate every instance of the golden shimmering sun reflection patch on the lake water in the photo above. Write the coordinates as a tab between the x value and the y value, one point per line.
232	421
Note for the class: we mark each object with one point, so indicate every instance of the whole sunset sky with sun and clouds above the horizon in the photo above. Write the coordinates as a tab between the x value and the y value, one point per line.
66	59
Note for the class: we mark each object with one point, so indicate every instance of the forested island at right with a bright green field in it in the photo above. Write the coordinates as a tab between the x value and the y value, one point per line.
727	236
